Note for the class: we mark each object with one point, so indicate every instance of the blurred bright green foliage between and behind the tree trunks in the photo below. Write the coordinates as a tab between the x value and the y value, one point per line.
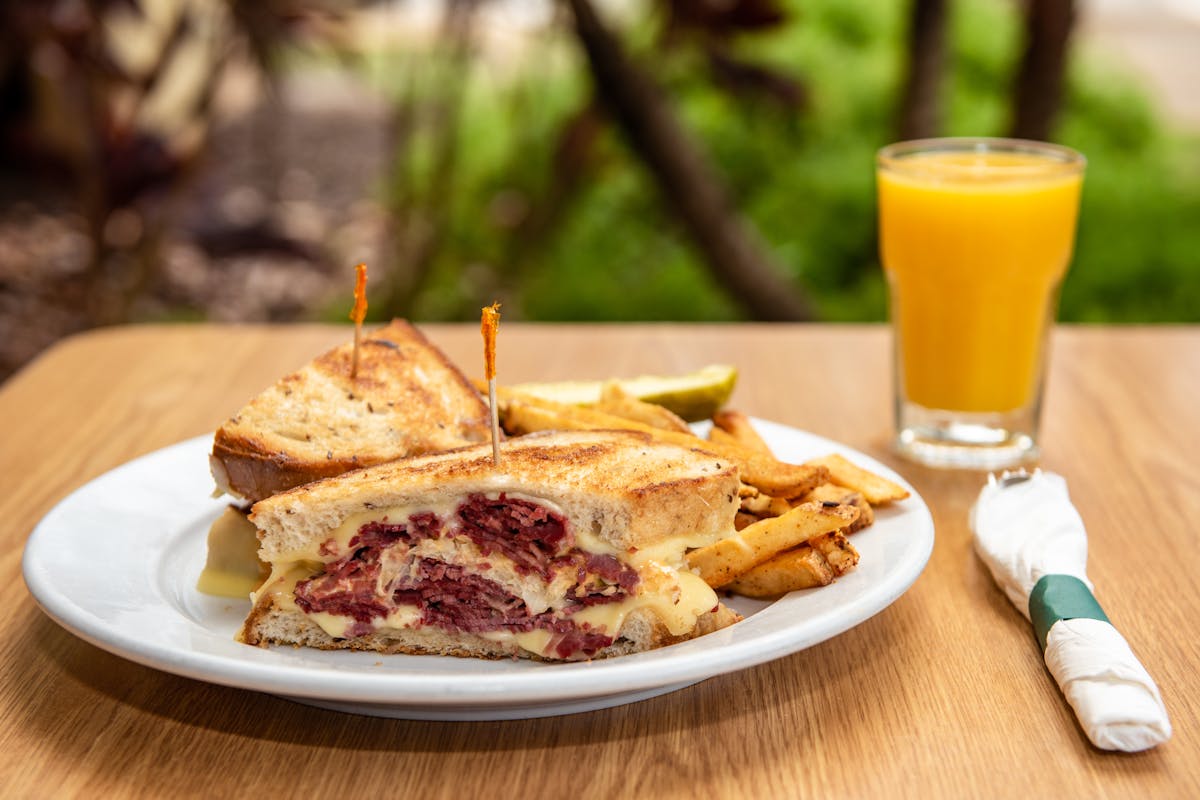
805	178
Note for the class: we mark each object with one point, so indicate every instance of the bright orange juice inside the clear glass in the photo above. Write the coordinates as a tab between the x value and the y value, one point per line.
975	245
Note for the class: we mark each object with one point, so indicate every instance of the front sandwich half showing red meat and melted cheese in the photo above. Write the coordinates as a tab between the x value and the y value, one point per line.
572	549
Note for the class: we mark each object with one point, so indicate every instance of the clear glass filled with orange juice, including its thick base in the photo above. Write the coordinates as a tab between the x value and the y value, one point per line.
975	236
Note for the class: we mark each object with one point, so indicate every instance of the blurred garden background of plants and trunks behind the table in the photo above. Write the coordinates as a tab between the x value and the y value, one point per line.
595	160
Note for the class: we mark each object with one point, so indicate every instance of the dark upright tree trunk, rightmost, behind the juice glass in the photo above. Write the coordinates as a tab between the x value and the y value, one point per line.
1037	94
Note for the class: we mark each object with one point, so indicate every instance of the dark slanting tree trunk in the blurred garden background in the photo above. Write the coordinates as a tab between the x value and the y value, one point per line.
733	251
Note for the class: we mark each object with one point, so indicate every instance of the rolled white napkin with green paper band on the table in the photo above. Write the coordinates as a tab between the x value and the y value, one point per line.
1034	543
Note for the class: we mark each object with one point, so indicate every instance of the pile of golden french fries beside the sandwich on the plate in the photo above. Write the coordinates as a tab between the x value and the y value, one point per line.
795	521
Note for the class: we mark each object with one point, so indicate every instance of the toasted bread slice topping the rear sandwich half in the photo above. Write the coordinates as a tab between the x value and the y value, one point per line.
406	400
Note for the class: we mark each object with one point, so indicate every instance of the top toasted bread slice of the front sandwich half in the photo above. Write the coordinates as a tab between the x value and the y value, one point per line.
620	486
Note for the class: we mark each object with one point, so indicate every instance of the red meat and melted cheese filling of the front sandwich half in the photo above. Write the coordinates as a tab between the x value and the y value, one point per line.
505	568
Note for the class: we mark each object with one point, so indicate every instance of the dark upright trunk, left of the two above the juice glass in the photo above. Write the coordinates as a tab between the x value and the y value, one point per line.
921	107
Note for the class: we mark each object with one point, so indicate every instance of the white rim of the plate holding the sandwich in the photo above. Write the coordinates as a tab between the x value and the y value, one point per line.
573	683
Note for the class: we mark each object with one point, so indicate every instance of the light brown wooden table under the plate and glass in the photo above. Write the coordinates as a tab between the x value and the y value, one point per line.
941	695
